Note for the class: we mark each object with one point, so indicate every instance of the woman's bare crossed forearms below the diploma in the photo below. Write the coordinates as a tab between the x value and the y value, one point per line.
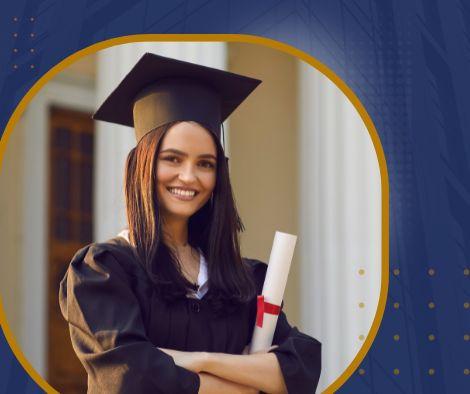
232	373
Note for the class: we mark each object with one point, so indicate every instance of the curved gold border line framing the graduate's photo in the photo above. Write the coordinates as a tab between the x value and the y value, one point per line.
330	74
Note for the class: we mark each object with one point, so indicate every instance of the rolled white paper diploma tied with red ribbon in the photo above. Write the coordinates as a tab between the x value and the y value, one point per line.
273	288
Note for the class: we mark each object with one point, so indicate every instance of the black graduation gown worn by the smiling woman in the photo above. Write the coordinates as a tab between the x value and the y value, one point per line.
117	321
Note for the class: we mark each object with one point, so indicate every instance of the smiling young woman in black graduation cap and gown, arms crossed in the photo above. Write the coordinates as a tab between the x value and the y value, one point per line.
169	306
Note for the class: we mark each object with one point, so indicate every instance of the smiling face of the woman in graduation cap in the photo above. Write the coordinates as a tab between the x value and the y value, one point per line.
186	170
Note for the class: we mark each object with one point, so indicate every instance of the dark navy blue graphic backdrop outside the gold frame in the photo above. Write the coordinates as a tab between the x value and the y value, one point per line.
409	63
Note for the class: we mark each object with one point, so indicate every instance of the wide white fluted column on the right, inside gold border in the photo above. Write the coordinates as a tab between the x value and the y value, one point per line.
340	222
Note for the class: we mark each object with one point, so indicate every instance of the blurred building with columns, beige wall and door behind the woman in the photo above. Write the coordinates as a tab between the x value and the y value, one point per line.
301	161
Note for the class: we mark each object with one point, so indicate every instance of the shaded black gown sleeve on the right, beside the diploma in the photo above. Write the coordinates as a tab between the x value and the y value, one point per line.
299	355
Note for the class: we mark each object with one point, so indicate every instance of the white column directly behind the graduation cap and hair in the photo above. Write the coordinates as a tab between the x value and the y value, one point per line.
113	142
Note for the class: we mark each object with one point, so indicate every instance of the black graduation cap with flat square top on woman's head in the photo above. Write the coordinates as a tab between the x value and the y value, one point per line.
159	90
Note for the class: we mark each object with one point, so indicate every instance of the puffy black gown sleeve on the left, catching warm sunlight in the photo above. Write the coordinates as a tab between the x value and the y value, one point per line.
107	330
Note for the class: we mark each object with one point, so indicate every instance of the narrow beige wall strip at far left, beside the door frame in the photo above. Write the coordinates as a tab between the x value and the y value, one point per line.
11	225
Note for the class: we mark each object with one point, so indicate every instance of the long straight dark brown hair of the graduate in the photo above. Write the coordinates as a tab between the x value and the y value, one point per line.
214	229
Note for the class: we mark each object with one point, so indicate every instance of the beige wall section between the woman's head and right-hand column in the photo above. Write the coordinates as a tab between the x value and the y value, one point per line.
264	155
